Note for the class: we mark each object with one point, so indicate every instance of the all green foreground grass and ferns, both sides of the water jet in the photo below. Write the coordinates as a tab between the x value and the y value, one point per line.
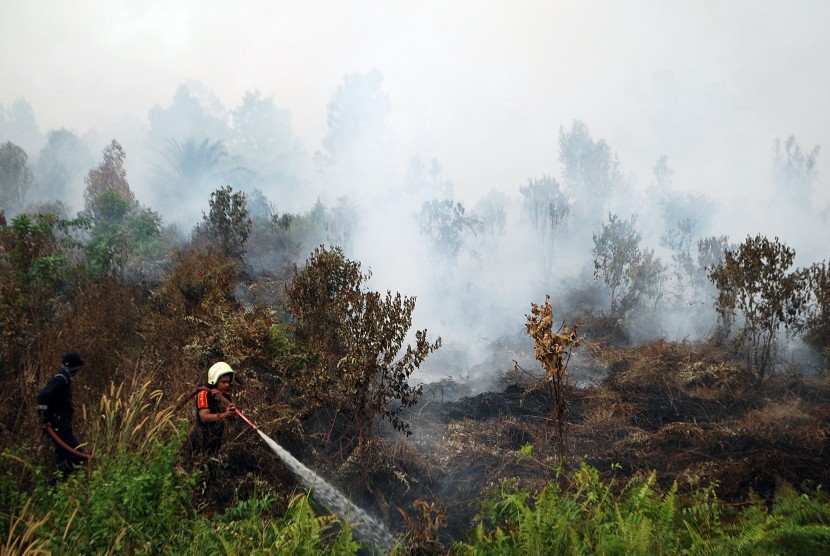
135	498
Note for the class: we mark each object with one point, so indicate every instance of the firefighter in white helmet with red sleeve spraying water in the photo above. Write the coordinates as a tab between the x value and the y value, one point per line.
213	407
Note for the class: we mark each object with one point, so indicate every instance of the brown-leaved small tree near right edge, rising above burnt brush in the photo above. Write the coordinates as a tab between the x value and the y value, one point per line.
754	281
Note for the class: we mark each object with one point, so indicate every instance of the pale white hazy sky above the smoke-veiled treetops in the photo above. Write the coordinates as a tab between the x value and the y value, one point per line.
482	86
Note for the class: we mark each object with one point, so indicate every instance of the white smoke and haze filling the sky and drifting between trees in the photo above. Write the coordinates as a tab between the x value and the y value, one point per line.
393	104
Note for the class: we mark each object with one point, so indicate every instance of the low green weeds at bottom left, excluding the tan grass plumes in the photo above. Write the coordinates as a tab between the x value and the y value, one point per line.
137	506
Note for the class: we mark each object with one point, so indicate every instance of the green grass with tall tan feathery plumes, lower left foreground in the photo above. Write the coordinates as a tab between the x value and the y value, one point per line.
134	497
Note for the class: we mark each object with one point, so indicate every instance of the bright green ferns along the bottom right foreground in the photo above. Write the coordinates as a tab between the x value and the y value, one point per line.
595	517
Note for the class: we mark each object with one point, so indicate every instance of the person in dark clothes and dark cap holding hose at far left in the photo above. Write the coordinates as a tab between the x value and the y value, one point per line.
54	406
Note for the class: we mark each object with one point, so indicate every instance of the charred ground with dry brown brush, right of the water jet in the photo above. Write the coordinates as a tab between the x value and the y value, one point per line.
694	418
